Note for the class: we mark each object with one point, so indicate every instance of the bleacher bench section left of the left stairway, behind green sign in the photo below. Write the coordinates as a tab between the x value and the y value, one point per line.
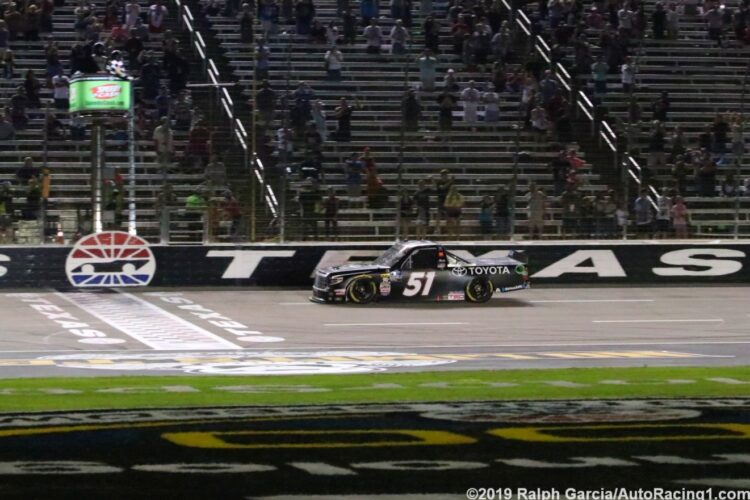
69	161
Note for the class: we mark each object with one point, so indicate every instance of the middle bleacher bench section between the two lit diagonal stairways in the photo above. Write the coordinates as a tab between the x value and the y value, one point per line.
479	161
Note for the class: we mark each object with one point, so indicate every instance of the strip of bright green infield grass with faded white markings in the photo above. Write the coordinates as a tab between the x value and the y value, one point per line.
49	394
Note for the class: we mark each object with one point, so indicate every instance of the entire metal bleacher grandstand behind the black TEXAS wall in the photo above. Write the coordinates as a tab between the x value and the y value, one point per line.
480	157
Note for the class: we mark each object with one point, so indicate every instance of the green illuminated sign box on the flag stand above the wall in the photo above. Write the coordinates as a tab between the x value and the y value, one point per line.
99	94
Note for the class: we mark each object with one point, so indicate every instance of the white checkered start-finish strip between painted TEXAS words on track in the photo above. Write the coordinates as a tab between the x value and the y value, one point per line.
146	323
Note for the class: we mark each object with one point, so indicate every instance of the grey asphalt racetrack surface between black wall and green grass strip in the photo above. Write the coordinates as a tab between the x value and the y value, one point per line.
51	333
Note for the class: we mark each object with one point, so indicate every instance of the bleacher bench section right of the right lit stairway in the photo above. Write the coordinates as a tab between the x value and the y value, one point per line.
702	80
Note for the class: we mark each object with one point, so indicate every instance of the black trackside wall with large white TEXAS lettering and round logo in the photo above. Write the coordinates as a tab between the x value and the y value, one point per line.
117	259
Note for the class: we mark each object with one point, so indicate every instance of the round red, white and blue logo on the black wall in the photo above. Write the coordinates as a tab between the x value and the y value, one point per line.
111	258
